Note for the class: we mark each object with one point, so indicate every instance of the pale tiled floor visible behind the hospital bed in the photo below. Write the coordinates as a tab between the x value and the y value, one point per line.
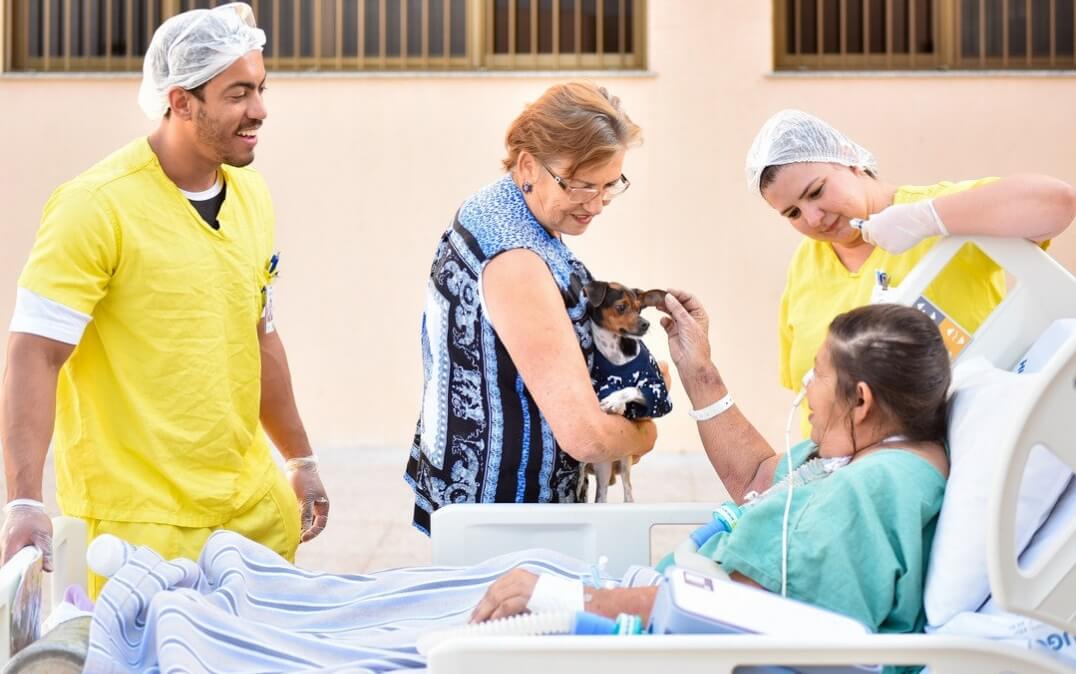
371	517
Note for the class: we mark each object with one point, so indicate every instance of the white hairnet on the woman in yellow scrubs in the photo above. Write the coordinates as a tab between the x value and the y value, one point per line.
792	136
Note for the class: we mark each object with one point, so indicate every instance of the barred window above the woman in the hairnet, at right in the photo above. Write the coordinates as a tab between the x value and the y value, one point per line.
882	35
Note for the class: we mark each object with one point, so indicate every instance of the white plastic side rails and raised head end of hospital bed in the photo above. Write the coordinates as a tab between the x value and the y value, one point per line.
1044	291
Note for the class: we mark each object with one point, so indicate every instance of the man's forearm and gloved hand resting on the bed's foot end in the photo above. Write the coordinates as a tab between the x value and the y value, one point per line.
29	416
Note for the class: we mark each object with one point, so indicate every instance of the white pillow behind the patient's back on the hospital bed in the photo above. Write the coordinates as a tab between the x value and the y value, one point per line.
981	413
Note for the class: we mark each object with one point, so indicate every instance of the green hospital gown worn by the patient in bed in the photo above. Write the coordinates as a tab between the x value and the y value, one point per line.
859	540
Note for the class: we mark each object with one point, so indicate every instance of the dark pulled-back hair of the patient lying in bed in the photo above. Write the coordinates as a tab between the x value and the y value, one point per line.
899	353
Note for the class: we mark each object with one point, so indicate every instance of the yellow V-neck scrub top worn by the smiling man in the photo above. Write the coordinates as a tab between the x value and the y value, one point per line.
158	409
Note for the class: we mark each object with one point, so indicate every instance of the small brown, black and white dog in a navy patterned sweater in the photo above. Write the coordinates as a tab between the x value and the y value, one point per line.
626	376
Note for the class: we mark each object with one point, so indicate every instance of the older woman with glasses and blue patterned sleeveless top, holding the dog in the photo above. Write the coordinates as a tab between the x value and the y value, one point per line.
508	410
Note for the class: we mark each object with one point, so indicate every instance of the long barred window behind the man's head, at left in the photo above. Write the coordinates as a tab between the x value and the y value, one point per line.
344	35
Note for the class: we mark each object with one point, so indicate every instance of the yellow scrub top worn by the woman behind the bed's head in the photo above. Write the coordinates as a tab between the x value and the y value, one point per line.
819	288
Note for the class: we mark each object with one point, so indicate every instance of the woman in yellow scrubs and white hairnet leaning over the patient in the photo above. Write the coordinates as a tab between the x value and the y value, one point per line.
857	224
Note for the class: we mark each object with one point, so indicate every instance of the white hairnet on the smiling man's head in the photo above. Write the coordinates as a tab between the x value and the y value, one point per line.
193	48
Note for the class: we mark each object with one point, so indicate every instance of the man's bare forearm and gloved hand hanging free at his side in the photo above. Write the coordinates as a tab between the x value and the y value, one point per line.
280	418
